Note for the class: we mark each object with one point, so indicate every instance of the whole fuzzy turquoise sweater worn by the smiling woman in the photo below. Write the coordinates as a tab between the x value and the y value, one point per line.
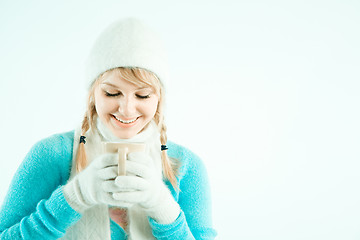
35	207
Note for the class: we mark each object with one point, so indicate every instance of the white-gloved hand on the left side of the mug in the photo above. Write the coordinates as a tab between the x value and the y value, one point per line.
94	185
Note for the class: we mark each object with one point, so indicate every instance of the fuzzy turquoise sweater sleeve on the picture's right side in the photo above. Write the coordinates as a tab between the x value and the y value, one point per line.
194	198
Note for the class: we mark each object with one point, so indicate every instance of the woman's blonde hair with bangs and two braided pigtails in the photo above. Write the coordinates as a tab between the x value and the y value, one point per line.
140	77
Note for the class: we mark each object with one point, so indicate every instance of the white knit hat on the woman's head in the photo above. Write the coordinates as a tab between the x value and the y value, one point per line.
127	43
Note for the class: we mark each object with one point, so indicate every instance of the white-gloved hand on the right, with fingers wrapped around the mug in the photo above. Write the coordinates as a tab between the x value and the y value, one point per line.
145	187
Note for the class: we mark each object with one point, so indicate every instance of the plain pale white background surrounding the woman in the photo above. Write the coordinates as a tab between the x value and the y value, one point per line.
265	92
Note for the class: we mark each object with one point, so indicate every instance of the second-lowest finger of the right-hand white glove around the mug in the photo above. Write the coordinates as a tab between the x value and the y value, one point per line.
134	183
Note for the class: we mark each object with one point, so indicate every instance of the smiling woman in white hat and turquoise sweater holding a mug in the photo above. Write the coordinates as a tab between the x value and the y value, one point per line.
68	188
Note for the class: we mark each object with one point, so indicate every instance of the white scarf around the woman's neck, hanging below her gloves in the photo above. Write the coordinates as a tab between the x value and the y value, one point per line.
95	222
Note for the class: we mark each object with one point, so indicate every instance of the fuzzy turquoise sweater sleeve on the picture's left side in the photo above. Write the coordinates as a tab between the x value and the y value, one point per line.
35	207
